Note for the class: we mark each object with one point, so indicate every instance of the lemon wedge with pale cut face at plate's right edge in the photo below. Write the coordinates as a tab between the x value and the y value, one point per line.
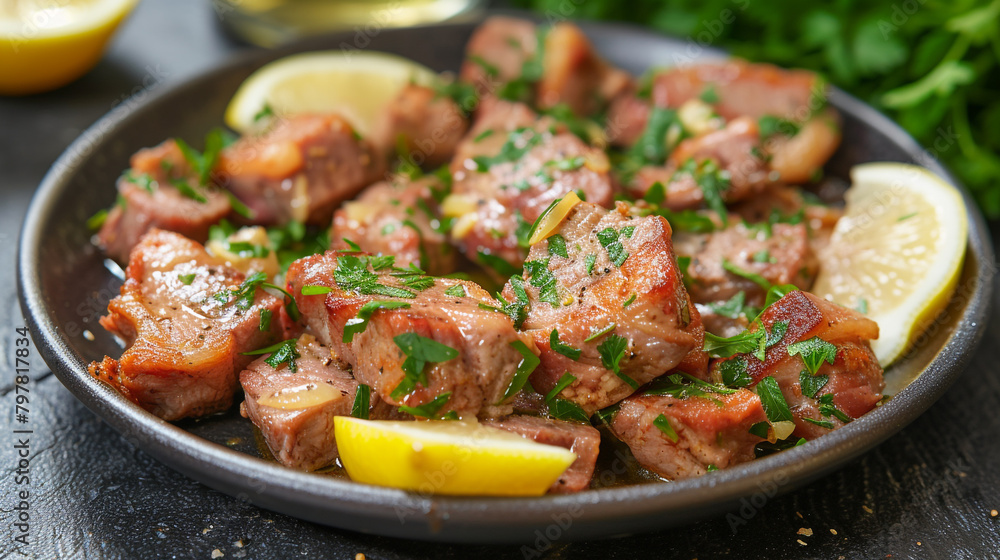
897	251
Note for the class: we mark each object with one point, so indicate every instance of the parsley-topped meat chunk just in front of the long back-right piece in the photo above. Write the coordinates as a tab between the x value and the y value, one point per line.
730	155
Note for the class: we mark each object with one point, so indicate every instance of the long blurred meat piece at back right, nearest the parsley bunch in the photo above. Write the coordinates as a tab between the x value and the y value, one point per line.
743	89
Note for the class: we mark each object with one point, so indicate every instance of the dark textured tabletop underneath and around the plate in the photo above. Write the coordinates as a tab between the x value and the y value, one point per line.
928	492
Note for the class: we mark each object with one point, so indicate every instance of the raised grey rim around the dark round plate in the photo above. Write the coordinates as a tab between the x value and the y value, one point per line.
354	506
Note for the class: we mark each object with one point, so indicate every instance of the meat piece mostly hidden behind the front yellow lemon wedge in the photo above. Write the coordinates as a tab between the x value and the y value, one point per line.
579	438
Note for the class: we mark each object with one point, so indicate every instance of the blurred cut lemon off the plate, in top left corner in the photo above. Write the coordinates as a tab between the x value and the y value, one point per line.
46	44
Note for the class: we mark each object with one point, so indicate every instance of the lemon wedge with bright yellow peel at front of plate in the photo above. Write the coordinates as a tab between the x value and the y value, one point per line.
447	457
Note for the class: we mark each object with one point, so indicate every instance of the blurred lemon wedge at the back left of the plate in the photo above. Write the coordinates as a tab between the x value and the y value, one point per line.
357	85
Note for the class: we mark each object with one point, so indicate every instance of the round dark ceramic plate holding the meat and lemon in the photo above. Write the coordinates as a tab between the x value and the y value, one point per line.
64	287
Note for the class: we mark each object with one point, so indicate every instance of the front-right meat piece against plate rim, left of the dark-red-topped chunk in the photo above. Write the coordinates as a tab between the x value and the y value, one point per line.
696	432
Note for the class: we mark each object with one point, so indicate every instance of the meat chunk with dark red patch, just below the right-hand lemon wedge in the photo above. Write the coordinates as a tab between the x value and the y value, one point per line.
852	383
